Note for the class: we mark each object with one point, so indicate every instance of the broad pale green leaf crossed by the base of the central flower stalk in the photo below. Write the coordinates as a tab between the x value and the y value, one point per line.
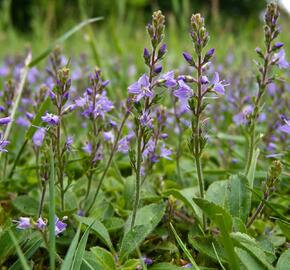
148	215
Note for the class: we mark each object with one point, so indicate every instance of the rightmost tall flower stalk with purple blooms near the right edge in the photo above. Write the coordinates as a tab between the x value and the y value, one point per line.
273	54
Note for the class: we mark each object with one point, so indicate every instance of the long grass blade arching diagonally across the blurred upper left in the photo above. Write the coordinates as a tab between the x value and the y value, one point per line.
61	39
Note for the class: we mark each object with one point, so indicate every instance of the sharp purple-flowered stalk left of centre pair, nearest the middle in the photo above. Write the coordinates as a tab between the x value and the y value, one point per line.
145	96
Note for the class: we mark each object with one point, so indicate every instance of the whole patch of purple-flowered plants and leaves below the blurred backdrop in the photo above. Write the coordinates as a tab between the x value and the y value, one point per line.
187	168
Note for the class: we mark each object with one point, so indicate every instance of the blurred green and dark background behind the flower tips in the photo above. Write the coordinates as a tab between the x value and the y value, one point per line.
35	23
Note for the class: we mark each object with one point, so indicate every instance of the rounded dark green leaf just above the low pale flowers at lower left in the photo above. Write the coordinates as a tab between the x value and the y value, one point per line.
26	205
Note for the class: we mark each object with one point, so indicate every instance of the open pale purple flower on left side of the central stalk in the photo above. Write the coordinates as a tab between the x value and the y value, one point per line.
141	88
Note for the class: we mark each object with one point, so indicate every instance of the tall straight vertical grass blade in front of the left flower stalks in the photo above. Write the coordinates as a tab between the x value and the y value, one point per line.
51	226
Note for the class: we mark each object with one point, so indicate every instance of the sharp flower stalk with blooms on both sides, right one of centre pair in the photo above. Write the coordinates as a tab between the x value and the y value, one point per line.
196	99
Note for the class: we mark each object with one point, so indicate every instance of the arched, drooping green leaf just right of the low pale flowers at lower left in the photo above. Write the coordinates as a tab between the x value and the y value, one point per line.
99	229
